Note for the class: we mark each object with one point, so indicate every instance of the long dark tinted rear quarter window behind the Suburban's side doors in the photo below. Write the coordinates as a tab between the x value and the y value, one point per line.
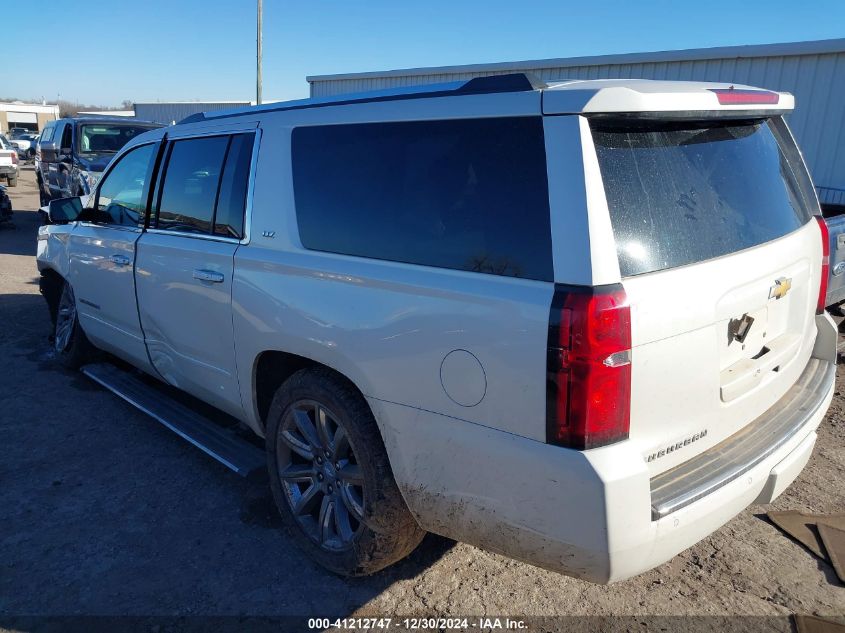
461	194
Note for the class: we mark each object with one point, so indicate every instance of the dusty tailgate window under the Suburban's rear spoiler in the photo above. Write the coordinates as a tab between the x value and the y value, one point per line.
684	193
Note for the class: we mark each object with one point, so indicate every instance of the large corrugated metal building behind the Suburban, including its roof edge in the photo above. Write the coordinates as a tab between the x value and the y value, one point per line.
813	71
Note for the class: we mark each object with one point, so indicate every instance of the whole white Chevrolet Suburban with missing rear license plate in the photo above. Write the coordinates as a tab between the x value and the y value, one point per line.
581	325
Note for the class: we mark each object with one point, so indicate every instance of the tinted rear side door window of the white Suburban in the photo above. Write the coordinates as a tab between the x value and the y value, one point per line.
204	185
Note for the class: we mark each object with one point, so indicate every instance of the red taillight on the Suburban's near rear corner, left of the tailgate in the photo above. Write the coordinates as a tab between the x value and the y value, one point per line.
588	393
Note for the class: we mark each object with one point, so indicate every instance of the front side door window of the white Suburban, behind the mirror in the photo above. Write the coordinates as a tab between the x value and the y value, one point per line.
120	198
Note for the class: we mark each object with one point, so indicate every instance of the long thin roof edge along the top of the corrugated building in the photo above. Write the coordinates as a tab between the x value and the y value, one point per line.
815	47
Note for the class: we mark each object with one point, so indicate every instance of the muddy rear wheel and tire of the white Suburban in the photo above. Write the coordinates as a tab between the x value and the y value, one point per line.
336	475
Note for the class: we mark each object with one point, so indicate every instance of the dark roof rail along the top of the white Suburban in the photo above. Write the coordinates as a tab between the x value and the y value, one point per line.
511	82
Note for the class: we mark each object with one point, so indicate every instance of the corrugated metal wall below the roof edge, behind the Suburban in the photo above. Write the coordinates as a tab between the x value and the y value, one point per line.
816	80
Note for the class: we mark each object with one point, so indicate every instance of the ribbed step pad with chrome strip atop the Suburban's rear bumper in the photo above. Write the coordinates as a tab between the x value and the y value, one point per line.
730	459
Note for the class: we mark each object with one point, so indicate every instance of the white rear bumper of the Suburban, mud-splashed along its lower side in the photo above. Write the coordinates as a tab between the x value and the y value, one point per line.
595	514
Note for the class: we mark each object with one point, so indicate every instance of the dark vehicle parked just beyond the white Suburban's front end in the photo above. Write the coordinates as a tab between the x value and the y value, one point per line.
72	153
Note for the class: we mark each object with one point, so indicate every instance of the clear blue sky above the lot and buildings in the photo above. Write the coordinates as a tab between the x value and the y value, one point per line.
102	52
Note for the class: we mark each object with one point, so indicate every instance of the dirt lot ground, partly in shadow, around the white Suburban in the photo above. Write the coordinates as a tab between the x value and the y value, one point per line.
105	512
